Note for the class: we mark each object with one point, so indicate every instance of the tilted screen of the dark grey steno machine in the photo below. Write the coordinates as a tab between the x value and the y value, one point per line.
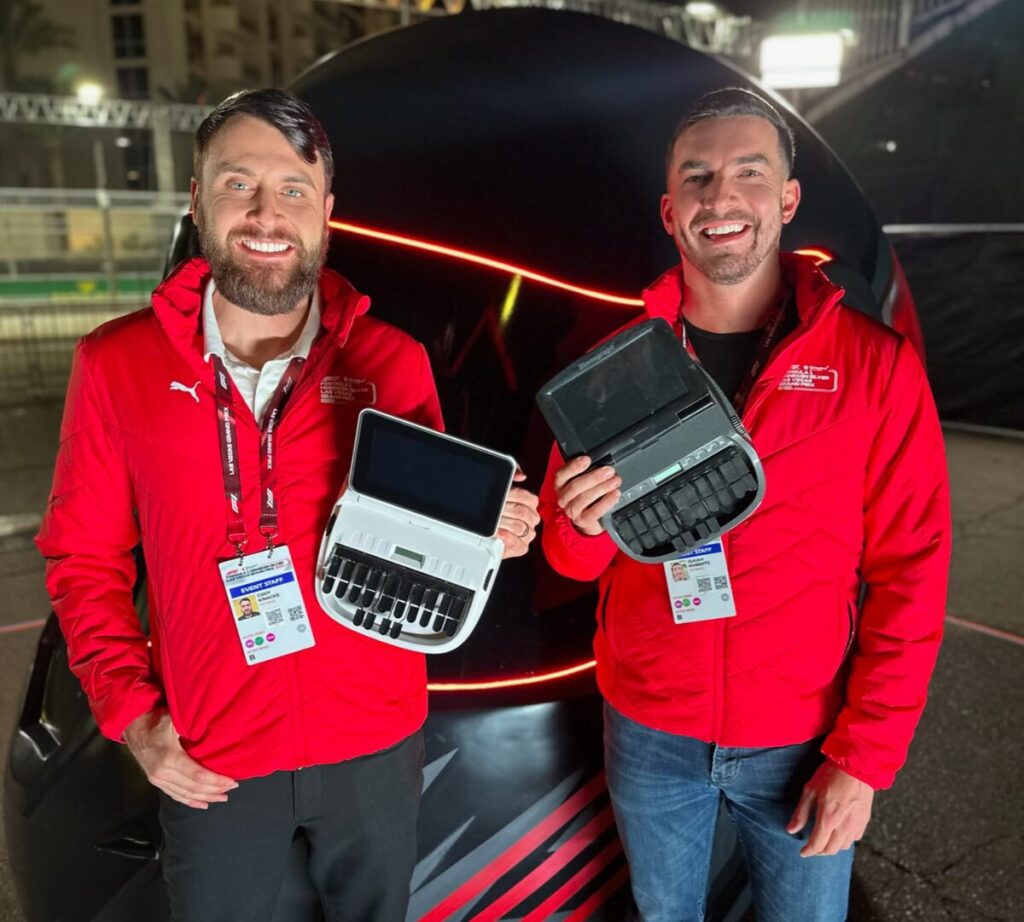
605	400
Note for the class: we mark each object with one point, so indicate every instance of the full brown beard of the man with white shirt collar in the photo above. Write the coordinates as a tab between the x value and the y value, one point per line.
255	288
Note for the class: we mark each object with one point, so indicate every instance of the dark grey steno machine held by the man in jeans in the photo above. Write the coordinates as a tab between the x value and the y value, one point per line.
641	404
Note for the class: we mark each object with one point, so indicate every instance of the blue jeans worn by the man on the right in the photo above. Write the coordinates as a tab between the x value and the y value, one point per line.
666	791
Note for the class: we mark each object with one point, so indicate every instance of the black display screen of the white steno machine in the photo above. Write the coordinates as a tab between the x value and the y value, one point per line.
431	475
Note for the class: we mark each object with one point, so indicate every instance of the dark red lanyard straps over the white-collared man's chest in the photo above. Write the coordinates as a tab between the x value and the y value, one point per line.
229	432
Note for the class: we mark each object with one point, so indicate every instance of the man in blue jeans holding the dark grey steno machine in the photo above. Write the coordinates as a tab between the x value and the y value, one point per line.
800	702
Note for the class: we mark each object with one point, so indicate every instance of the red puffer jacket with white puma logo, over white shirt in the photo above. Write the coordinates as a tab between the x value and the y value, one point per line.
140	460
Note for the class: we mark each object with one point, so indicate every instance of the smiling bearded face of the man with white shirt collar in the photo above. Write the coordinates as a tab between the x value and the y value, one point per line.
262	213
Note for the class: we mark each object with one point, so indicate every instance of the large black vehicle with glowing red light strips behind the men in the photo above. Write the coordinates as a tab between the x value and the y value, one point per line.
535	141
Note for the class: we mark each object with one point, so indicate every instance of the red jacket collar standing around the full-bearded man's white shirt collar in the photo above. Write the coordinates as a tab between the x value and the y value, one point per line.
178	304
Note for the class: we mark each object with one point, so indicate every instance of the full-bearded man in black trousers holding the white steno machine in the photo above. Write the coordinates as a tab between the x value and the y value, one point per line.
250	738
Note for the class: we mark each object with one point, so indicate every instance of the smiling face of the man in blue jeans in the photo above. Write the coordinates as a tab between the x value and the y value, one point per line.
729	197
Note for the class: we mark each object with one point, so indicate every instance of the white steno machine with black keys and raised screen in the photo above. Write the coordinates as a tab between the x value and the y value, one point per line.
409	556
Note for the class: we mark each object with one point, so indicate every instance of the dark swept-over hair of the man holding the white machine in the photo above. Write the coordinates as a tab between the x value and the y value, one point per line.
281	110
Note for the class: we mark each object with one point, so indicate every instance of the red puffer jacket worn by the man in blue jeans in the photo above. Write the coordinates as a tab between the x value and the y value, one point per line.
857	492
